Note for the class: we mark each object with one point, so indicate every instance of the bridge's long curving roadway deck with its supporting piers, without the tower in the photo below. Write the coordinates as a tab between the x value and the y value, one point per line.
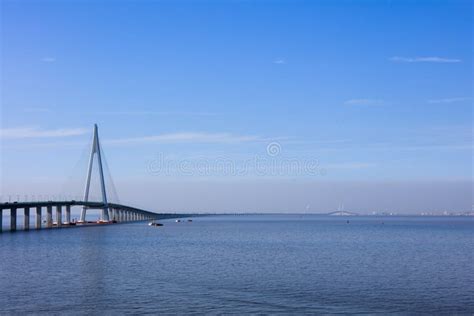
117	212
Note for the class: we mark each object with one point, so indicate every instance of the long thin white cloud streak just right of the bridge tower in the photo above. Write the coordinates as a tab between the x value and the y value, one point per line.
187	137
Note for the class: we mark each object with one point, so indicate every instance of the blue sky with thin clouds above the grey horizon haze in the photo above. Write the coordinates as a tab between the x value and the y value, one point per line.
373	90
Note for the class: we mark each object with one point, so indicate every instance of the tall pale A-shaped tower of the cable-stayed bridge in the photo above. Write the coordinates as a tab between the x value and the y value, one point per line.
95	150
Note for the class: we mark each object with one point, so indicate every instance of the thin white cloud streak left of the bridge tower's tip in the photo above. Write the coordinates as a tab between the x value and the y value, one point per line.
33	132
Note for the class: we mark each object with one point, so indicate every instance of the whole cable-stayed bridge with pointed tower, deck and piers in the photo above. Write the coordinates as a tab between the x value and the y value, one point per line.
110	213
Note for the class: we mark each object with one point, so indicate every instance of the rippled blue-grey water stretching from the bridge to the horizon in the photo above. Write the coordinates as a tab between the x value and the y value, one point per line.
244	264
